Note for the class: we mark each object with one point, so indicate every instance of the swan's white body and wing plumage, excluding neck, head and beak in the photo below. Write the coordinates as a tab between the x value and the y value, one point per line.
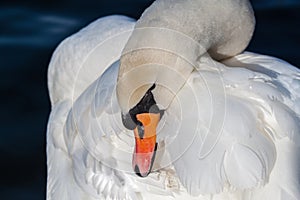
232	131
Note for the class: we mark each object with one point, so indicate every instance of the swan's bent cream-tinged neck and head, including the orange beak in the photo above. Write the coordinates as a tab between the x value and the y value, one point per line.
164	48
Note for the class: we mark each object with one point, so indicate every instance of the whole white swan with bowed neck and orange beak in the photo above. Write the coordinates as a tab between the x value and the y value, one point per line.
226	129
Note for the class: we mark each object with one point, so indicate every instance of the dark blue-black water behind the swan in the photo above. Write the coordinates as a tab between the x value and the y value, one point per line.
29	33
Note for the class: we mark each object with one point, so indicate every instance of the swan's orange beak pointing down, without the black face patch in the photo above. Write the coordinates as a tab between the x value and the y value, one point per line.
145	143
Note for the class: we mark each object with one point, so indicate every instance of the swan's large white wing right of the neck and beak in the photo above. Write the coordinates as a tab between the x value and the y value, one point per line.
229	122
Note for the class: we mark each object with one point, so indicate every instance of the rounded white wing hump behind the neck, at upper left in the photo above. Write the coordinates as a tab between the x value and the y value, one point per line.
81	58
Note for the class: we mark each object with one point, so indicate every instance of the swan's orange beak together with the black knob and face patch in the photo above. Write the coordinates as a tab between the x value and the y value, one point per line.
143	119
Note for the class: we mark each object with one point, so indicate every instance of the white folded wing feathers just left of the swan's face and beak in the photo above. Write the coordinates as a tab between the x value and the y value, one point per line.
100	154
